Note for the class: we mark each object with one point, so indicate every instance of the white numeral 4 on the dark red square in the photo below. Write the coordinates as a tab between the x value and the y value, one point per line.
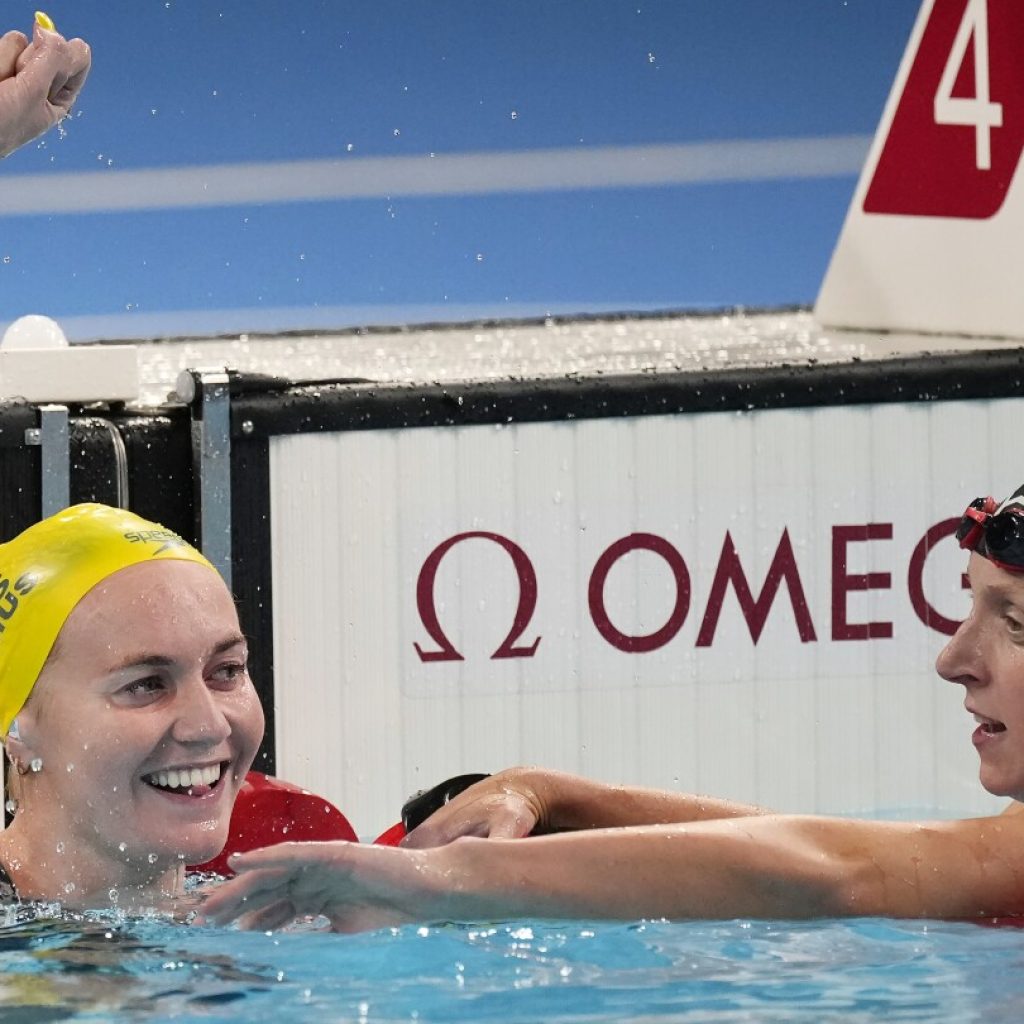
978	111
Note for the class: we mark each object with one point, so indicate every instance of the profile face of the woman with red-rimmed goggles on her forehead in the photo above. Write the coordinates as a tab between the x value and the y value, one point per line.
987	657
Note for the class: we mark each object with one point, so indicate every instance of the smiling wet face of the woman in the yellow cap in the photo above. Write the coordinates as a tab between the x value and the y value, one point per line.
146	721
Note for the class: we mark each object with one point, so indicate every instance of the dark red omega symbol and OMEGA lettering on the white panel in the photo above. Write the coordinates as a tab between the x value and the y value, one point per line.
783	583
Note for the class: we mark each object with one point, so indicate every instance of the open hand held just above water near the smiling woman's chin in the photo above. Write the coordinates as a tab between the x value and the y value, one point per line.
356	887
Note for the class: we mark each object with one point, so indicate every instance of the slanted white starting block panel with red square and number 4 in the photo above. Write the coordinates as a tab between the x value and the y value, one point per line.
931	238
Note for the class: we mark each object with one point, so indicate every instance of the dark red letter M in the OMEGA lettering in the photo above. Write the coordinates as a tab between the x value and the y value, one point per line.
730	570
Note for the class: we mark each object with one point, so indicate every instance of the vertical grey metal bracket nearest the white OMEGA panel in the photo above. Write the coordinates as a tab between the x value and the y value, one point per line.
209	395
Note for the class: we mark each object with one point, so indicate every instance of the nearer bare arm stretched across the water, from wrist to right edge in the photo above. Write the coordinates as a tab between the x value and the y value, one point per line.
758	867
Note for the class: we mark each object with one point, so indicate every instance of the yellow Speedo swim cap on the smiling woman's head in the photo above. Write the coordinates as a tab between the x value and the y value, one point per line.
50	568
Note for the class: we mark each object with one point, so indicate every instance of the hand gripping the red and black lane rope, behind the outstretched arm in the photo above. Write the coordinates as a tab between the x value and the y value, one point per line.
508	805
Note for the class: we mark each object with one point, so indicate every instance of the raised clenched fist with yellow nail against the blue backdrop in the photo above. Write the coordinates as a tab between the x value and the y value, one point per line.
39	83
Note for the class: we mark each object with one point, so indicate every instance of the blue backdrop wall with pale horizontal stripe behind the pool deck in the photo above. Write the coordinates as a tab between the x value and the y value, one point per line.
279	93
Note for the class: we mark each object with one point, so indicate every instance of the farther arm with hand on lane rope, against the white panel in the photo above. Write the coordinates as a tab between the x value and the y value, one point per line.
524	801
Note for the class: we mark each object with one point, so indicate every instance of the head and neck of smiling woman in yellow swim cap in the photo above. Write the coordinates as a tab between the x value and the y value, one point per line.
130	718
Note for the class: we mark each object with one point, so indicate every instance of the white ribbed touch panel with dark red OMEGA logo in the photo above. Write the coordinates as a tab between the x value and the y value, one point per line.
742	604
